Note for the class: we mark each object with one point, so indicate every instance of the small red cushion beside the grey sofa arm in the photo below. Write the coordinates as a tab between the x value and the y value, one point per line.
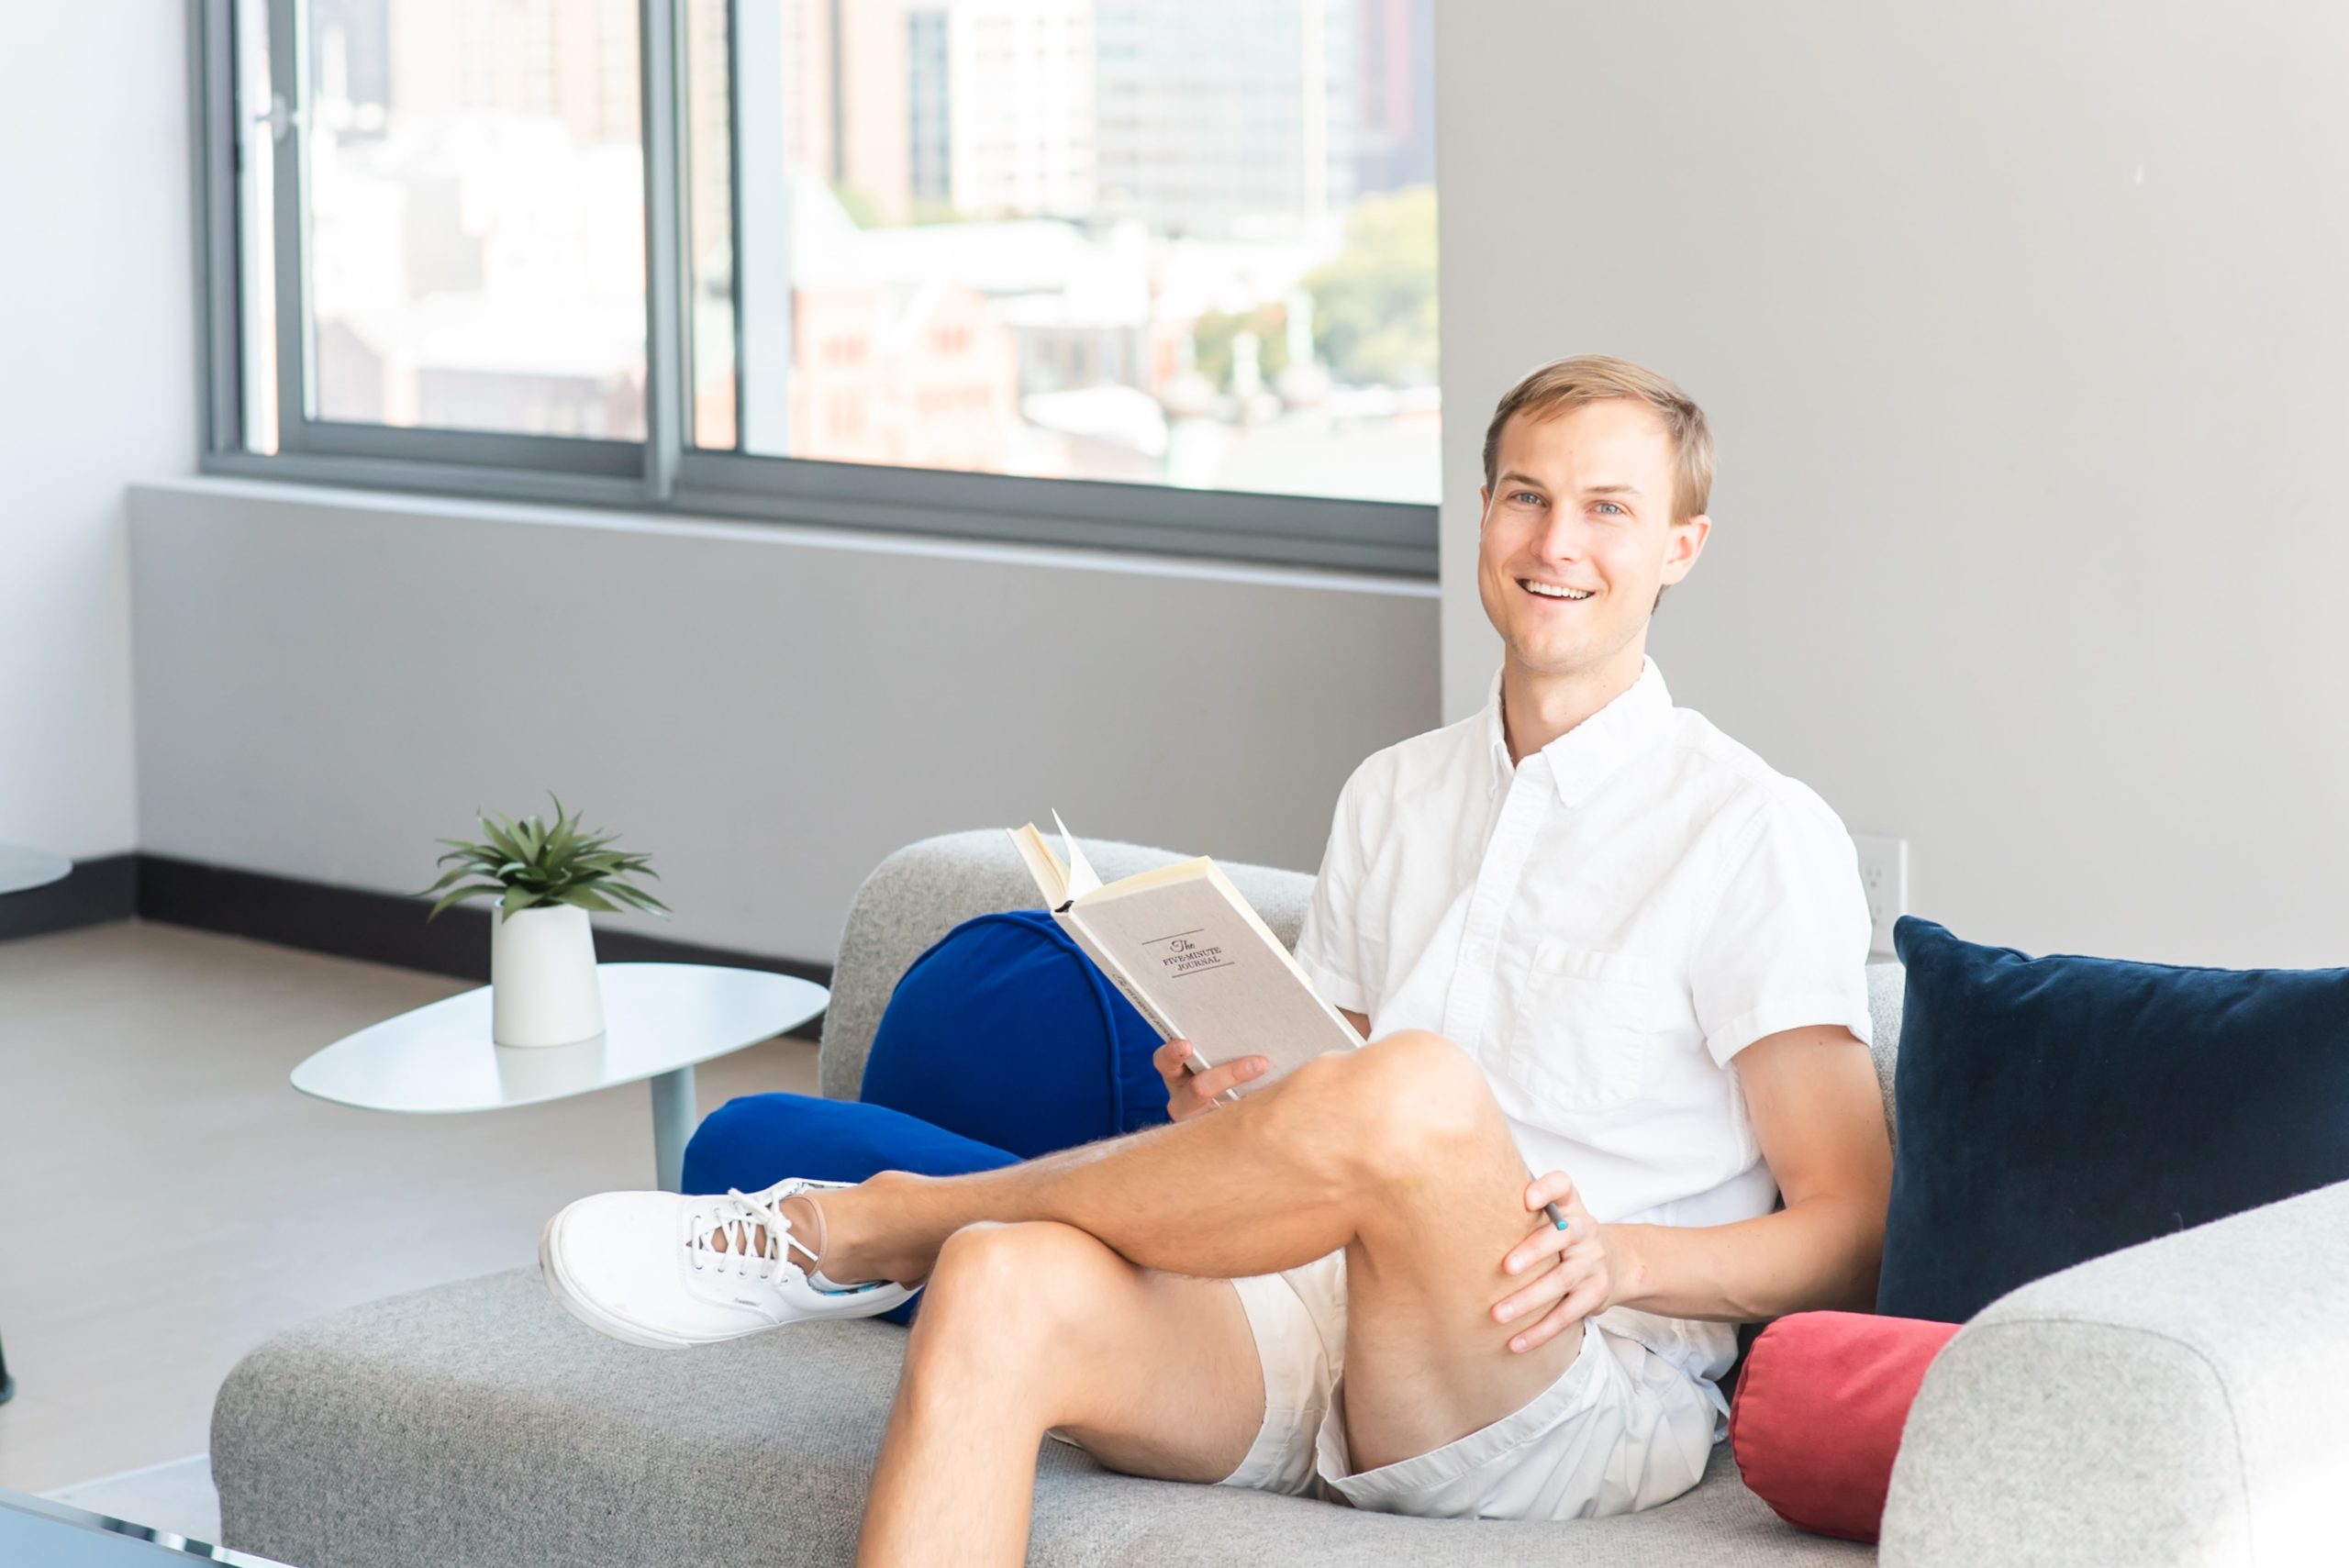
1819	1414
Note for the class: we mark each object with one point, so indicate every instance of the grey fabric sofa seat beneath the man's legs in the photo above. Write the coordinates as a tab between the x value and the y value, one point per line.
478	1424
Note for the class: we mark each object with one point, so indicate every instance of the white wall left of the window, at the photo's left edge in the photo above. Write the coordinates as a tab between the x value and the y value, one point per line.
97	388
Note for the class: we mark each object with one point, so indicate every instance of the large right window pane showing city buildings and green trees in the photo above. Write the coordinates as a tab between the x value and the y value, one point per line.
1147	241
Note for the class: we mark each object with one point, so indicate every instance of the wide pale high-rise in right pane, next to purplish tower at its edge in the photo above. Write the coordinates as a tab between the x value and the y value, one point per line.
1225	116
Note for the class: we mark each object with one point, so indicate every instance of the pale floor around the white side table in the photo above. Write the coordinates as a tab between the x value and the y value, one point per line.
168	1198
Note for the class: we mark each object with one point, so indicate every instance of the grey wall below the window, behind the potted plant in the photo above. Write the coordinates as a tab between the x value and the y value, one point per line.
330	682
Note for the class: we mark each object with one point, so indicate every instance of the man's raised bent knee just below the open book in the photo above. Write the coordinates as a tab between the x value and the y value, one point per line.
1399	1104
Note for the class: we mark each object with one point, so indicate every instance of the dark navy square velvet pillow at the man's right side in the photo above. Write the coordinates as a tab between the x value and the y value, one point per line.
2059	1109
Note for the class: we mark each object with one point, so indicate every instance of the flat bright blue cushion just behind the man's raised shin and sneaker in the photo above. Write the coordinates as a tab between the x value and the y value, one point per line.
758	1140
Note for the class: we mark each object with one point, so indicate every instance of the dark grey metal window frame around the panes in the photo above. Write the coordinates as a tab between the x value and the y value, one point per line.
664	473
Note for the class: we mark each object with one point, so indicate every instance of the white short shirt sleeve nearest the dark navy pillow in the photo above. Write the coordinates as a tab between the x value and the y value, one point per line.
1786	945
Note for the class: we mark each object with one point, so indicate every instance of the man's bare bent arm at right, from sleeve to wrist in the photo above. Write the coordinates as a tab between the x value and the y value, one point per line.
1817	1111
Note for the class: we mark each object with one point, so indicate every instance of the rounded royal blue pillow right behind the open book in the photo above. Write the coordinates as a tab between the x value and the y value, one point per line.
1007	1034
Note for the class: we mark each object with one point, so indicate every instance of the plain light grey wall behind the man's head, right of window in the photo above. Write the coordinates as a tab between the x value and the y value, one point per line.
2026	337
